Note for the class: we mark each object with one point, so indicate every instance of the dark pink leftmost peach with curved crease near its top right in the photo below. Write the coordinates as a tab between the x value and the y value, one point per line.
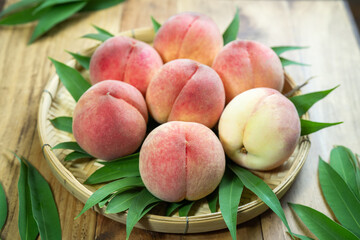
109	120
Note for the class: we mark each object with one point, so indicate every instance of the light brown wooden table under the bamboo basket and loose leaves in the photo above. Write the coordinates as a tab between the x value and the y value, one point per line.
326	26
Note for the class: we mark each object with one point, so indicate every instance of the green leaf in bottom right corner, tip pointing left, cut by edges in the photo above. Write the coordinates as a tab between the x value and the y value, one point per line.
320	225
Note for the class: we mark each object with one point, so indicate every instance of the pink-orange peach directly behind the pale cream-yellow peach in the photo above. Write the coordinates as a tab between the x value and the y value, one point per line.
243	65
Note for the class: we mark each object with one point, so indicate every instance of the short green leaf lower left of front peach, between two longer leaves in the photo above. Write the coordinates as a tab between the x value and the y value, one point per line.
122	201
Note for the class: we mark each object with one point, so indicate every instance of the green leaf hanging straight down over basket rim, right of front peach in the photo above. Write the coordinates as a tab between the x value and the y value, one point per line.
230	190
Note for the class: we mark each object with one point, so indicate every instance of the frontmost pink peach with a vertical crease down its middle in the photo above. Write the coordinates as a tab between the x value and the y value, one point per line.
181	160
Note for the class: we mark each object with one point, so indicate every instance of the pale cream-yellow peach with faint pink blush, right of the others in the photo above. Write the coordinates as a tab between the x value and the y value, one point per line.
259	129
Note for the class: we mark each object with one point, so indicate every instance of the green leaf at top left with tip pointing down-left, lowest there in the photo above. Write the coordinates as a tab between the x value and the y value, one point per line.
54	16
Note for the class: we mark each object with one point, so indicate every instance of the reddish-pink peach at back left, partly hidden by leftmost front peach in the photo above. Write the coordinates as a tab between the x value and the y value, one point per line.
125	59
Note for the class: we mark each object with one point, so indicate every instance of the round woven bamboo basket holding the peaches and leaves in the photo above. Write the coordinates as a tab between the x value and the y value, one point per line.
56	102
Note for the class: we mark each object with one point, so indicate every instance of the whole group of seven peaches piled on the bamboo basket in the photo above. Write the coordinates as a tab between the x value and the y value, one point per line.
189	83
